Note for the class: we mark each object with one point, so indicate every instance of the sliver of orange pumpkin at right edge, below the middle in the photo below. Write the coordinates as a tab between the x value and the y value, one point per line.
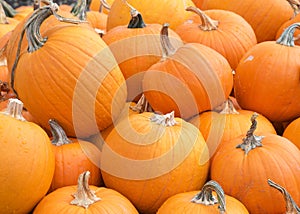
292	132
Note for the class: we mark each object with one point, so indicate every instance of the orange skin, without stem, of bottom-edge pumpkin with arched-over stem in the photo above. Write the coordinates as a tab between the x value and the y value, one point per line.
181	203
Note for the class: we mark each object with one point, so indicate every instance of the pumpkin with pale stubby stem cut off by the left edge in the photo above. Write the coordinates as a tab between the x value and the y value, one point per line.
27	161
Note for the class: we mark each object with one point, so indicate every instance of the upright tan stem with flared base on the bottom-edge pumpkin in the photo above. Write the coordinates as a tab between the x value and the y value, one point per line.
84	196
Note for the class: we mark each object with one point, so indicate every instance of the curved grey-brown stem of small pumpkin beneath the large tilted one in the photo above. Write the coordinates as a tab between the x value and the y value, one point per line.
59	136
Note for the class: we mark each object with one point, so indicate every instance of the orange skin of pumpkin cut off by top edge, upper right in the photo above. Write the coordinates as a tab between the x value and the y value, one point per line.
264	20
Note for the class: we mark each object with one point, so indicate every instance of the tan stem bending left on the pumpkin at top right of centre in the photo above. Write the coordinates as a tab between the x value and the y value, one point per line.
207	23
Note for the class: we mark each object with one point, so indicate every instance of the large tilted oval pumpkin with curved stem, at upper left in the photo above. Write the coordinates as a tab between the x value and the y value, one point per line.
83	96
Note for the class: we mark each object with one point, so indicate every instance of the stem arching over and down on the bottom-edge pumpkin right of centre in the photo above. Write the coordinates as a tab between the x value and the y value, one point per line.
206	197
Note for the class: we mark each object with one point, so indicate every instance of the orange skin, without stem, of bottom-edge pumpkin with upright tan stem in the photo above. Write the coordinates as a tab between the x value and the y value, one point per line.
59	202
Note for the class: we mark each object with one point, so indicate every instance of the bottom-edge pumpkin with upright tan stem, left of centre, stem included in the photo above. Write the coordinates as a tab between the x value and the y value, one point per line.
85	198
